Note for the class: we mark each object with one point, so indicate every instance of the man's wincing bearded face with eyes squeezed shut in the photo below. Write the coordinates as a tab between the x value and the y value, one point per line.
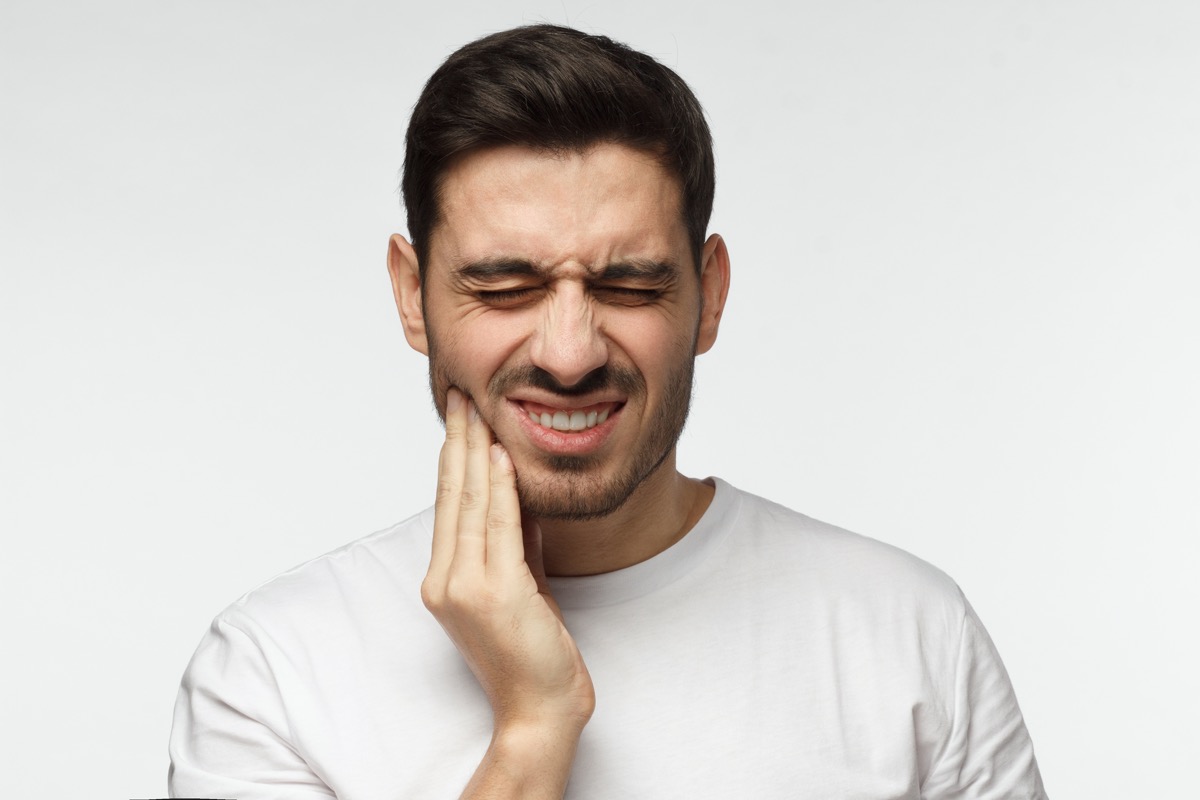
561	294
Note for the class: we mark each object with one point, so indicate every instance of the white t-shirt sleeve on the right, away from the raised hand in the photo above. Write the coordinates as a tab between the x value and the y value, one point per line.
988	754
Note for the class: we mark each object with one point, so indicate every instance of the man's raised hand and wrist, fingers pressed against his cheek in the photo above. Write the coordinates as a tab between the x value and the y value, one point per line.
488	588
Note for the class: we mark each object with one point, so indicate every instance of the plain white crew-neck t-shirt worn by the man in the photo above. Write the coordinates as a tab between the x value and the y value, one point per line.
765	655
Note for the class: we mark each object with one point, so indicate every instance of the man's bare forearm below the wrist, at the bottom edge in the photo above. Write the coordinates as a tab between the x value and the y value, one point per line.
527	763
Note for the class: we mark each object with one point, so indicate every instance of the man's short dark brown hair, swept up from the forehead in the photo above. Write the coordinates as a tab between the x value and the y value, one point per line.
554	88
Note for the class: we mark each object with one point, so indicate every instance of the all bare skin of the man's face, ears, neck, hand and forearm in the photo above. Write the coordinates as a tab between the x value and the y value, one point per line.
556	282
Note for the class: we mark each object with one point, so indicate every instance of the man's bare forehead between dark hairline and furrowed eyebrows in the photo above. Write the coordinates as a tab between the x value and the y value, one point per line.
591	208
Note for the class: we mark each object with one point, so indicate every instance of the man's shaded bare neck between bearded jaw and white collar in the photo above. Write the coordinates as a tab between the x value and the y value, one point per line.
656	516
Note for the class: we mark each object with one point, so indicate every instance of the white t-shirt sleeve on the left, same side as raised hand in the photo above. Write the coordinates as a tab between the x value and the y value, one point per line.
231	736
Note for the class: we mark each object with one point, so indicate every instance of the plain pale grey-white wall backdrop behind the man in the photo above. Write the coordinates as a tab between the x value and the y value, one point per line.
964	321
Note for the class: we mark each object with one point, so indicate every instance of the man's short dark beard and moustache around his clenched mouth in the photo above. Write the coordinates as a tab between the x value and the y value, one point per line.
578	488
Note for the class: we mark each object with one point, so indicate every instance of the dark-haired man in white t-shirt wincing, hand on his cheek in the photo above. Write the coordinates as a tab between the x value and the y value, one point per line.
691	641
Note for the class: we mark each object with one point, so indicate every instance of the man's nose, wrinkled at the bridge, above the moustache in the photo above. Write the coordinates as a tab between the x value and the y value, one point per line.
568	342
